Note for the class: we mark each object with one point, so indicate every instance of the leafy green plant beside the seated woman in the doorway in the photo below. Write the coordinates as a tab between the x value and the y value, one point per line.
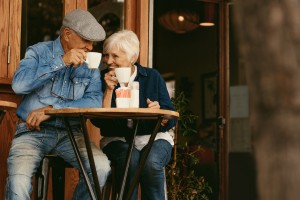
182	183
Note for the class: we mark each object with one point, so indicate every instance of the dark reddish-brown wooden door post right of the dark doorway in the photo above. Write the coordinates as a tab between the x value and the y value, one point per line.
223	80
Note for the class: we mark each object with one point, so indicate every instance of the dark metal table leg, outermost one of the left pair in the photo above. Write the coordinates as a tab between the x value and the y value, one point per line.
74	145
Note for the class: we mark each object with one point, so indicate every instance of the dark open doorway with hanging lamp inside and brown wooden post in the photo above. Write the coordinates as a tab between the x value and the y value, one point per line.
194	59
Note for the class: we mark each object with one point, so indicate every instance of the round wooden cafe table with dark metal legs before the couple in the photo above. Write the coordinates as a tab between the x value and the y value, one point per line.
112	113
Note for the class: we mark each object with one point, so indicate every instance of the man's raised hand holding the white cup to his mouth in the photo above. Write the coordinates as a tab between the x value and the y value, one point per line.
74	56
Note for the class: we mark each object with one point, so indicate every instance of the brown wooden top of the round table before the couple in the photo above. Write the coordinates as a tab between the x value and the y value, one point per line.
131	113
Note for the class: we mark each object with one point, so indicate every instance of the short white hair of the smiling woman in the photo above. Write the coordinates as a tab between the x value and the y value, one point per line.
125	40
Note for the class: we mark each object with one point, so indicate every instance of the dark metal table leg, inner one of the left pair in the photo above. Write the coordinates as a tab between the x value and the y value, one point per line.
90	156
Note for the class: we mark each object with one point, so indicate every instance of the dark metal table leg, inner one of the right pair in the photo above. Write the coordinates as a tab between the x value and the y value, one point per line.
128	157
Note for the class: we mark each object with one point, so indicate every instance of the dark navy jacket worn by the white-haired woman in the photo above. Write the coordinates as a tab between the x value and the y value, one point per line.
152	86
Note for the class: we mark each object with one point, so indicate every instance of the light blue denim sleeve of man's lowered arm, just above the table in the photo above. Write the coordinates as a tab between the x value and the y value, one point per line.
92	98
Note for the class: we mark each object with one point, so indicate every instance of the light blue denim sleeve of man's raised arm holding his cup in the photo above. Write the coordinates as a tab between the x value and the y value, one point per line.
34	71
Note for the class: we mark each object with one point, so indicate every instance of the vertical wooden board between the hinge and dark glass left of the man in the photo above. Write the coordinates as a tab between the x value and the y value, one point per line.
14	36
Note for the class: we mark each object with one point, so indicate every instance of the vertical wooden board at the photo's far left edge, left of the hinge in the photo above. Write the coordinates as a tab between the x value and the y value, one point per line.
4	16
